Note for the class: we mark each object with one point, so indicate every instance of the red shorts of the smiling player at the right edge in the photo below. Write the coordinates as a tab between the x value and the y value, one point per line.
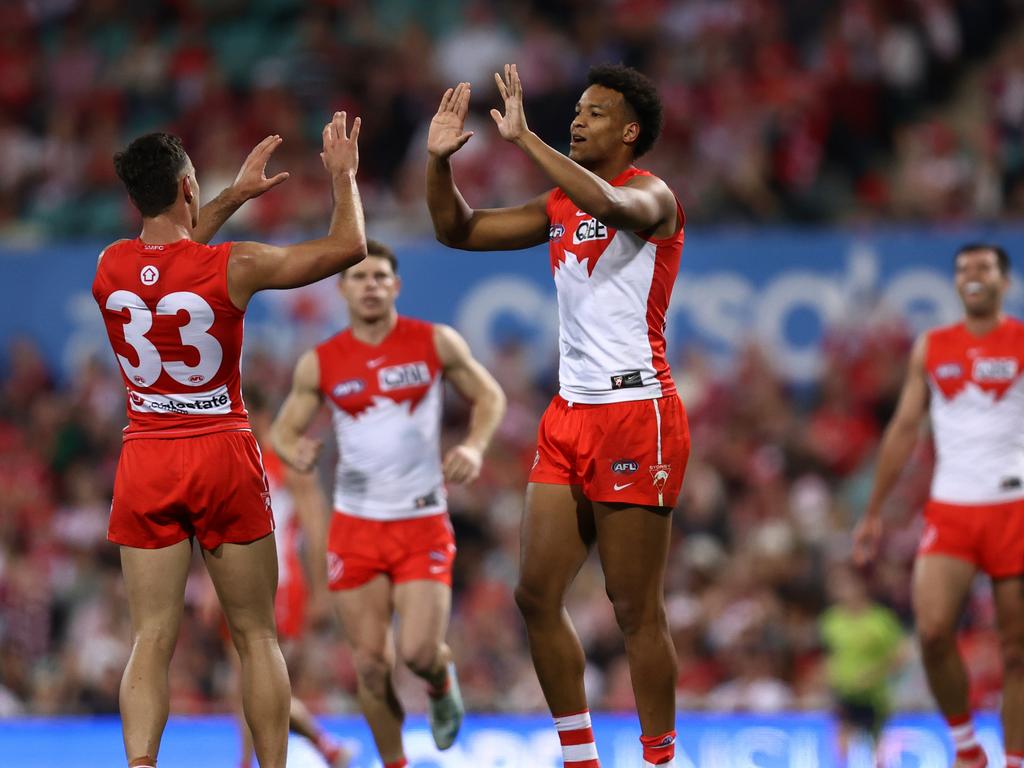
991	536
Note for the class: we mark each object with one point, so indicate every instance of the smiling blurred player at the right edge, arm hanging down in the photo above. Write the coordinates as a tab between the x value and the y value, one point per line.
969	378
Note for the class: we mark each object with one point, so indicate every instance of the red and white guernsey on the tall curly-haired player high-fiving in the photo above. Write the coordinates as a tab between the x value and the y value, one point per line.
614	290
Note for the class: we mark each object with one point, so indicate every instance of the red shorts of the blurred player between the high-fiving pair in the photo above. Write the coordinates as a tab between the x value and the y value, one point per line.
409	550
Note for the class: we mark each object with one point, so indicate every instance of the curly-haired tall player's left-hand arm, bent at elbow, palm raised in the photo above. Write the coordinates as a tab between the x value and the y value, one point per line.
457	225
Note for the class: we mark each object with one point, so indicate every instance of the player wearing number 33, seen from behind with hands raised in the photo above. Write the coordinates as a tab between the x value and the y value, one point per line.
190	466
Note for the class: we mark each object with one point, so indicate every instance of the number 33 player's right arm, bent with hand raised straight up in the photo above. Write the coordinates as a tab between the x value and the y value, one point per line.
255	267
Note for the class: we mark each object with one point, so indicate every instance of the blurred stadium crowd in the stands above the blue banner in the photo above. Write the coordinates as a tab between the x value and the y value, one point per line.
776	110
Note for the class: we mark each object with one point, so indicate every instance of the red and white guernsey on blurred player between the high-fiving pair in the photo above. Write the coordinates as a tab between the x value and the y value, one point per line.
387	404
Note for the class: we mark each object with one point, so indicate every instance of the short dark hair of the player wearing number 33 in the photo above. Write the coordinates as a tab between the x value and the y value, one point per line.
151	167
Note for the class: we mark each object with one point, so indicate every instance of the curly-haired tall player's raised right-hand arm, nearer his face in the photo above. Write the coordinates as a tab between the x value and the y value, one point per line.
644	204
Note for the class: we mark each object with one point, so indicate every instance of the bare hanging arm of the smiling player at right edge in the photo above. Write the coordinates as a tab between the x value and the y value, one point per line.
898	445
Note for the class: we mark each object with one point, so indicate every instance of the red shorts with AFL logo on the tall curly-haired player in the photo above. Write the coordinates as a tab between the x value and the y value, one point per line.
630	453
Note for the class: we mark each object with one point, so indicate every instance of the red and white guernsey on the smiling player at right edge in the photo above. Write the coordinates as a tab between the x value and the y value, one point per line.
977	410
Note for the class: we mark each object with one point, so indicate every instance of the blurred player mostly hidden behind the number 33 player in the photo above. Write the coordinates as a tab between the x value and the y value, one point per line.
289	492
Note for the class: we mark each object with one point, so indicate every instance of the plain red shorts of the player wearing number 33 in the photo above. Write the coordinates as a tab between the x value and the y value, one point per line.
211	487
